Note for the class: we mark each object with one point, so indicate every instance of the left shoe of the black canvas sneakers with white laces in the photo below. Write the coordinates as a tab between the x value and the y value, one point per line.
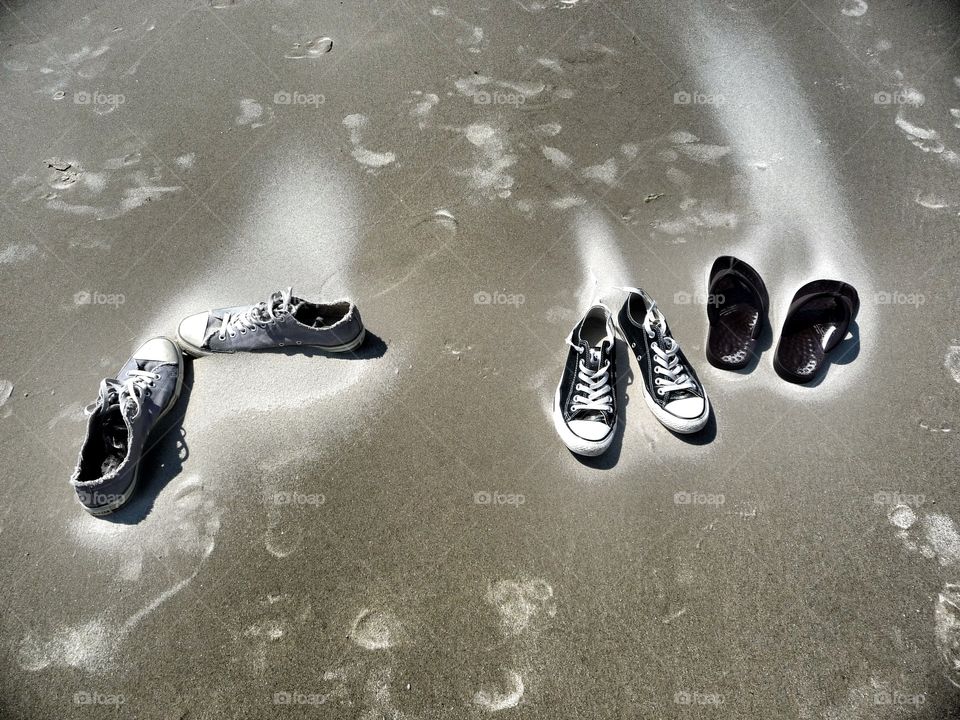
585	406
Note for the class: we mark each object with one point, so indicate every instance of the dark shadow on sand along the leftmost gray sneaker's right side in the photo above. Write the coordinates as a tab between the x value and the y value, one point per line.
163	459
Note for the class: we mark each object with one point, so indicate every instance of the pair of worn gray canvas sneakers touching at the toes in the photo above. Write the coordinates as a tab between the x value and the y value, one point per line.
148	385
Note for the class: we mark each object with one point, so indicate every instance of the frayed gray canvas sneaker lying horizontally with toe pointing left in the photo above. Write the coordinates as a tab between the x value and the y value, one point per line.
282	321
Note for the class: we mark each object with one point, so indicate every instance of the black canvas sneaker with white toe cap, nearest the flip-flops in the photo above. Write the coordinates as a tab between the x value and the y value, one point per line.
670	386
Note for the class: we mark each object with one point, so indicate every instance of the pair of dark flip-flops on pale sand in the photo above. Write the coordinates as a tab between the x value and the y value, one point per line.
817	320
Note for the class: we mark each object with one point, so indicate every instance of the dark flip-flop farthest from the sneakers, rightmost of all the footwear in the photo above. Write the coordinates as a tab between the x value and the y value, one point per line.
817	321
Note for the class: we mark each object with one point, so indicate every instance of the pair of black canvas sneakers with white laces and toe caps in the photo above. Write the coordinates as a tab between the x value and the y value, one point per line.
585	404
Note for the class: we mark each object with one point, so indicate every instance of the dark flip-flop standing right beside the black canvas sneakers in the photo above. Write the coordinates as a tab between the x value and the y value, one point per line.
736	307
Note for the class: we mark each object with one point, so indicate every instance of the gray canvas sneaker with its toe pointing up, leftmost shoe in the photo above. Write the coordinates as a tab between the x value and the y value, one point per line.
126	411
